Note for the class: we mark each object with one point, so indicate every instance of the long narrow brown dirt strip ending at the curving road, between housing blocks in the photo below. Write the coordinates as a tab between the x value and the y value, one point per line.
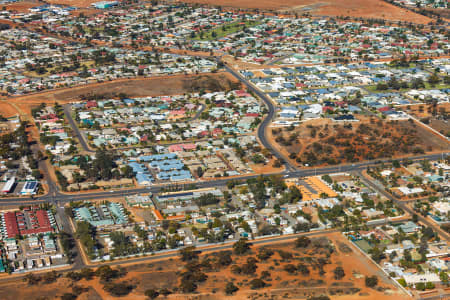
140	87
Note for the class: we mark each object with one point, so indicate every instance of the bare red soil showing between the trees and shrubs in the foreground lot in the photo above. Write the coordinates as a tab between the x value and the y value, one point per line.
164	274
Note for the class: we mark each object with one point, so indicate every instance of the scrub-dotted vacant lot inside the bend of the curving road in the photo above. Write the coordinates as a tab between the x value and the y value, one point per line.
322	142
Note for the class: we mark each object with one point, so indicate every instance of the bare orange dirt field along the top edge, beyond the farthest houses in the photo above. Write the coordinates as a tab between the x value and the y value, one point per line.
352	8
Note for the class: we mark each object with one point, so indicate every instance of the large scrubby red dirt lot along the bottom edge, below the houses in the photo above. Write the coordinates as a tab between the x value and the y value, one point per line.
287	271
